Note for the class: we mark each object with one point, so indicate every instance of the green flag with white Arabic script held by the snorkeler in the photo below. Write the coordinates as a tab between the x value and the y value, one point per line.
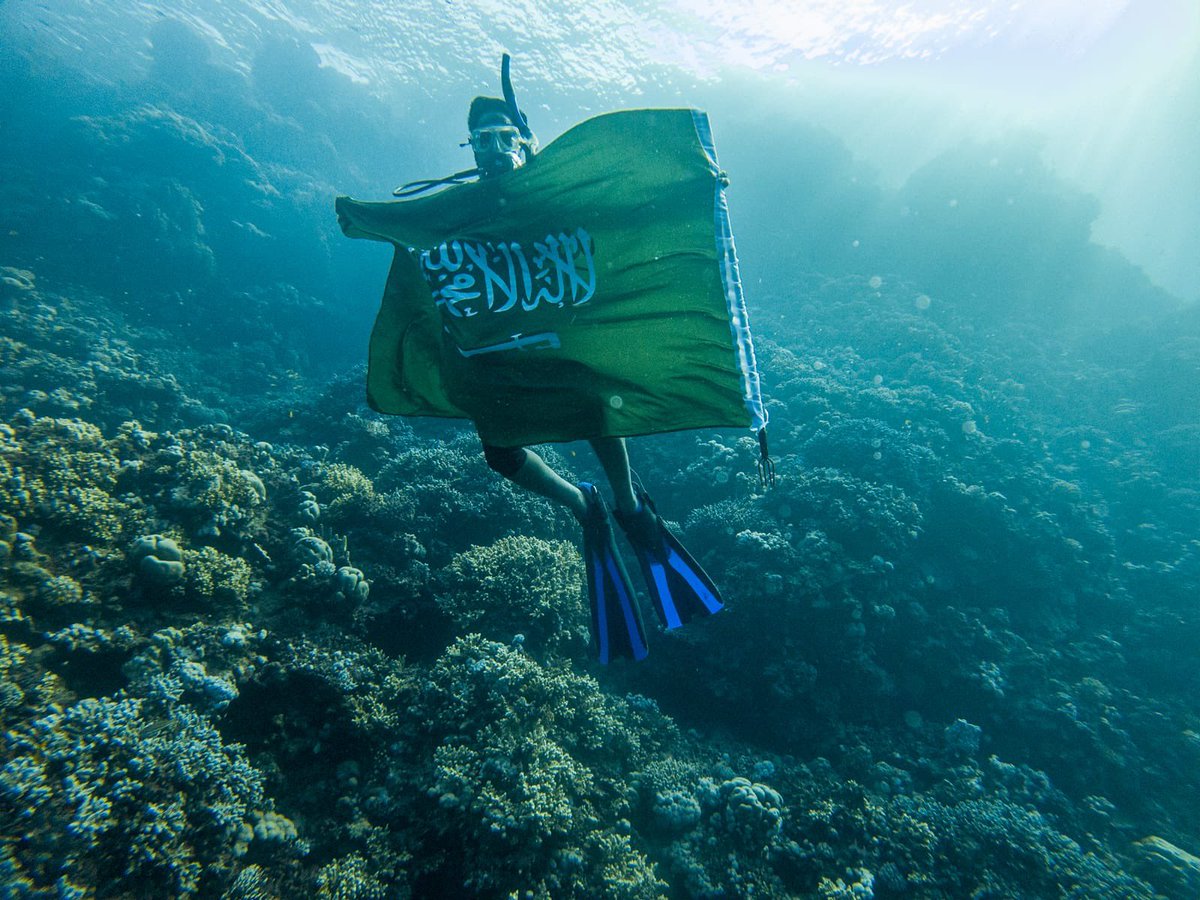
595	292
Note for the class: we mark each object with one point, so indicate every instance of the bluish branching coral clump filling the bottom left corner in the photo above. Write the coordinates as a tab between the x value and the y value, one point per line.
124	796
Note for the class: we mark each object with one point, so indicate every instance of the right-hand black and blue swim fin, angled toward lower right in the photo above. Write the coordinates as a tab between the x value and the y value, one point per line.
680	589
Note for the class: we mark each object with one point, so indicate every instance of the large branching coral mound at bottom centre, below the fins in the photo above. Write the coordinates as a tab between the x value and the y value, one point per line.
527	766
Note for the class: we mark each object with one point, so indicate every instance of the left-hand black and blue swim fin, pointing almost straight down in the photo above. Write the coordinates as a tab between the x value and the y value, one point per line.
617	628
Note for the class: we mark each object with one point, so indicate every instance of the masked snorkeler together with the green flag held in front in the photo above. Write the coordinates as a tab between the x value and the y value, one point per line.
542	297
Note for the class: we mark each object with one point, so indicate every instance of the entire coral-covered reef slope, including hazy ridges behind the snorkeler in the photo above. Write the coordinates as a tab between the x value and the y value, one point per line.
260	643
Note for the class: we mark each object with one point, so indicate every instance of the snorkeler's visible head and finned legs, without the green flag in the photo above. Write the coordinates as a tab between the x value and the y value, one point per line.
502	142
